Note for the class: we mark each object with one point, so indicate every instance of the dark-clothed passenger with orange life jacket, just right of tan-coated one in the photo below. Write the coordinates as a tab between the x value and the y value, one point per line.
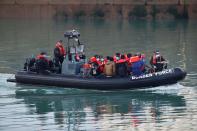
122	67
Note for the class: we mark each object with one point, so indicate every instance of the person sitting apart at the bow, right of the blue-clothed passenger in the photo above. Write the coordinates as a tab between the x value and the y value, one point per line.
158	62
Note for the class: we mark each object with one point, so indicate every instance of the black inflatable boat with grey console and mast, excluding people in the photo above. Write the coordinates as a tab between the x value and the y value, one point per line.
70	76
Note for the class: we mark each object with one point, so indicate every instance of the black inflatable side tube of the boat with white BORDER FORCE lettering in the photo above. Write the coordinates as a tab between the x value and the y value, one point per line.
169	76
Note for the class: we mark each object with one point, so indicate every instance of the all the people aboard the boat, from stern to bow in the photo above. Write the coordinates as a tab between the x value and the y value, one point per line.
121	65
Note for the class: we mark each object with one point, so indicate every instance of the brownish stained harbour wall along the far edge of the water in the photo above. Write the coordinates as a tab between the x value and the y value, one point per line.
107	9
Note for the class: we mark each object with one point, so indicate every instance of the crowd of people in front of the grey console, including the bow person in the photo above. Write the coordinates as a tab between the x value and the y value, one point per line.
123	65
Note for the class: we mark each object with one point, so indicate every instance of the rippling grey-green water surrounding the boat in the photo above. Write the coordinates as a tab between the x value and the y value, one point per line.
37	108
